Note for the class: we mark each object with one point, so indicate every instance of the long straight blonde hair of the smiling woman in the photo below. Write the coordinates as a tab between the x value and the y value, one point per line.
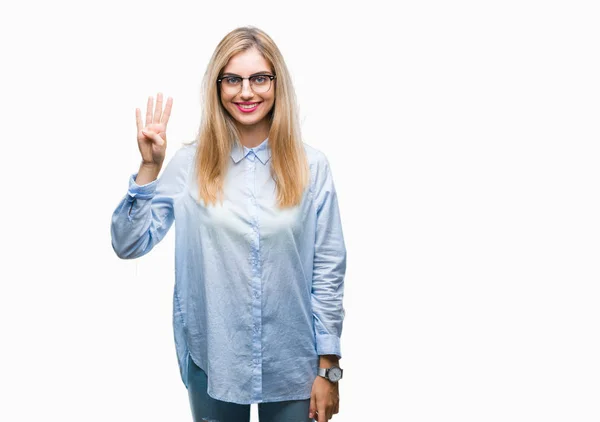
218	132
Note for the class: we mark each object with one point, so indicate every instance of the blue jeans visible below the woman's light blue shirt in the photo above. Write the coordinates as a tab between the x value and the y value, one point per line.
205	408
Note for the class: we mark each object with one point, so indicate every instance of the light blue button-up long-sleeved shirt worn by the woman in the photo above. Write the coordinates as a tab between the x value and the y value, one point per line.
258	289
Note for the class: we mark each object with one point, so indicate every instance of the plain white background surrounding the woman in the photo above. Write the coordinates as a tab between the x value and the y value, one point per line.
463	139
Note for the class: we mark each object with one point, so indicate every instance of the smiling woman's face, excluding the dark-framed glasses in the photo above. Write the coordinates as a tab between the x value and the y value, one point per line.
247	107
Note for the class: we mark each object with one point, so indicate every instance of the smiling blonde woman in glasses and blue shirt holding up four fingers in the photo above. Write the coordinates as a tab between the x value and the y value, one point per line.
260	256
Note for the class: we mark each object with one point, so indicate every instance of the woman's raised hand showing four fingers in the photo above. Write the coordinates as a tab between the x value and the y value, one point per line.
152	138
